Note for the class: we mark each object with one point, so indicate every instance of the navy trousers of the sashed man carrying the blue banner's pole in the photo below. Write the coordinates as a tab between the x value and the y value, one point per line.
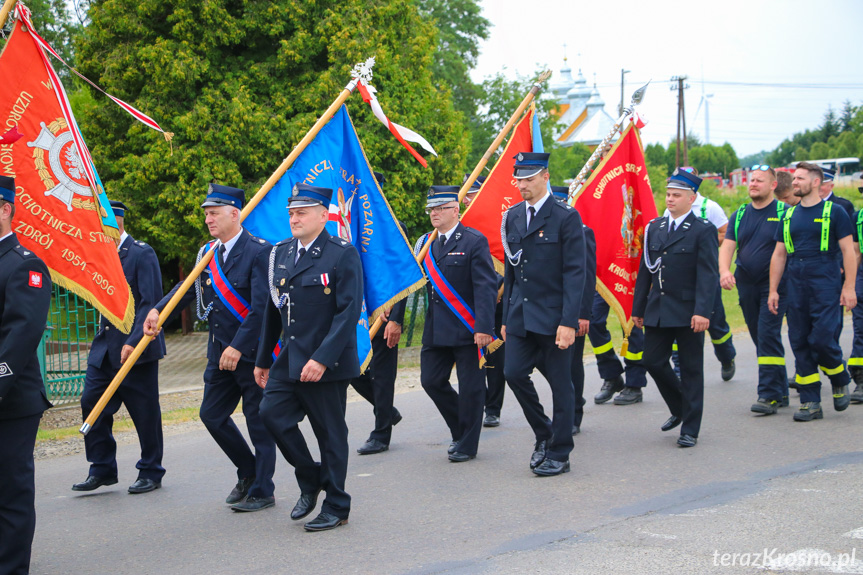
223	390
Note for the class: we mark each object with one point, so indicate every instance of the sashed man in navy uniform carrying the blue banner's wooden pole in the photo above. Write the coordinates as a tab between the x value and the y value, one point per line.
231	295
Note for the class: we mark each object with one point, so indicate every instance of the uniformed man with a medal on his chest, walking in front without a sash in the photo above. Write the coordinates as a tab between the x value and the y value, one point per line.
316	297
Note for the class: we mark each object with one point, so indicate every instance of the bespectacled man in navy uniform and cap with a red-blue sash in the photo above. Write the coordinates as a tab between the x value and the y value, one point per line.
459	320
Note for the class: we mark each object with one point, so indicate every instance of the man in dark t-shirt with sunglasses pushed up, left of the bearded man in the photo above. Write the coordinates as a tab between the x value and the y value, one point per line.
751	233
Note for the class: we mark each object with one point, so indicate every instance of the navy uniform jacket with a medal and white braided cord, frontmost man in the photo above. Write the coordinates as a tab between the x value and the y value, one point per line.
322	326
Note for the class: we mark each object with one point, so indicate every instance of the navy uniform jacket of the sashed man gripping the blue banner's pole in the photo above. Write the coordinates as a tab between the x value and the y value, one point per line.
246	270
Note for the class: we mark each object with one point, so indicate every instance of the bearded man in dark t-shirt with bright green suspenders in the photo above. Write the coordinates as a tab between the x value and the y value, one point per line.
815	241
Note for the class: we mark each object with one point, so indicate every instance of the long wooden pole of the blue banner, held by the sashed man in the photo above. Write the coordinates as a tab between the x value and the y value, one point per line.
359	71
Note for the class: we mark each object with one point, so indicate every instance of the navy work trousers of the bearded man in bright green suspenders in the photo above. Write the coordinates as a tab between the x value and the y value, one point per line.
814	287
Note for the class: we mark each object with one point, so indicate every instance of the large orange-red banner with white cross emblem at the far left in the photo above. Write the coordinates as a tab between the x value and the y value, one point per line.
57	215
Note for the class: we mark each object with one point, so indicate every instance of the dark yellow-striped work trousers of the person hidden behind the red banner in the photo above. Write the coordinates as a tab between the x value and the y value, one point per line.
606	359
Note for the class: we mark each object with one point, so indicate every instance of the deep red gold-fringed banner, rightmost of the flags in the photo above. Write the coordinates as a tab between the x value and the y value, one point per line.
617	203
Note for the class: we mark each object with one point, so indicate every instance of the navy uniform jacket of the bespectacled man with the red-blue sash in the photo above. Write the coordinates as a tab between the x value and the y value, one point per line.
465	262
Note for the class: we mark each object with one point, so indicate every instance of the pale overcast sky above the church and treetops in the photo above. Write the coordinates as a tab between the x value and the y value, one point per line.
792	57
